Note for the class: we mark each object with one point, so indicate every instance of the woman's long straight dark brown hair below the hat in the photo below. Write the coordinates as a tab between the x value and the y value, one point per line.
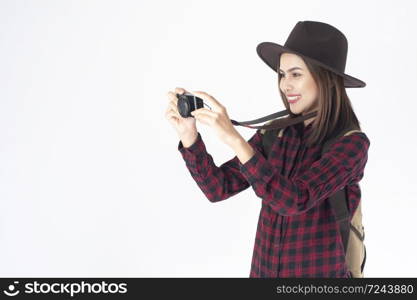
334	109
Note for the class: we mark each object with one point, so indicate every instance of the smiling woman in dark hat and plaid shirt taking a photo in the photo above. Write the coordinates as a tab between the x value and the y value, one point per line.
297	235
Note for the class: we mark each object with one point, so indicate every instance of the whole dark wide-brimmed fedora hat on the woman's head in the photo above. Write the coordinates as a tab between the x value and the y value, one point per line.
318	42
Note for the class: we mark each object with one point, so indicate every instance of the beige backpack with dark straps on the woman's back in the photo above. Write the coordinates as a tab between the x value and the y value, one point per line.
352	232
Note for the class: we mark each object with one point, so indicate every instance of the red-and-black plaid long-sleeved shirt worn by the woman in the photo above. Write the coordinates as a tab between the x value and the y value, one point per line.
297	235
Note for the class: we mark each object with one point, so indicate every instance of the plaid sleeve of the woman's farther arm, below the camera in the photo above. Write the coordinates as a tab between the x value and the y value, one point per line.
217	183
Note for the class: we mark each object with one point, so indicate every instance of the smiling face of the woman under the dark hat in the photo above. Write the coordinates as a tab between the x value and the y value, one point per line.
297	84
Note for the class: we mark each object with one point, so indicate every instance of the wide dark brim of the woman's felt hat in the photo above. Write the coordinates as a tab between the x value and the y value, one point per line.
270	53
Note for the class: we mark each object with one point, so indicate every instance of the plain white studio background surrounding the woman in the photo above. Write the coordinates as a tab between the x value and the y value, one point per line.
91	181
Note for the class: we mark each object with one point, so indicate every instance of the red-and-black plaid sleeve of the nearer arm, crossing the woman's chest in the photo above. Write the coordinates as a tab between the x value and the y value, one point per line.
341	164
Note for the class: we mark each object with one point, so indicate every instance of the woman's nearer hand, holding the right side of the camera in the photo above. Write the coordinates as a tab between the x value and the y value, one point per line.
217	119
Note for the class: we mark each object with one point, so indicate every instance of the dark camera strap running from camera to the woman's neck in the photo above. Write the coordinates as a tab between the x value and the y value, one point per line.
283	120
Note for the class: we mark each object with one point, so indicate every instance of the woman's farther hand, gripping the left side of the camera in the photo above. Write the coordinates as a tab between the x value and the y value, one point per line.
185	127
